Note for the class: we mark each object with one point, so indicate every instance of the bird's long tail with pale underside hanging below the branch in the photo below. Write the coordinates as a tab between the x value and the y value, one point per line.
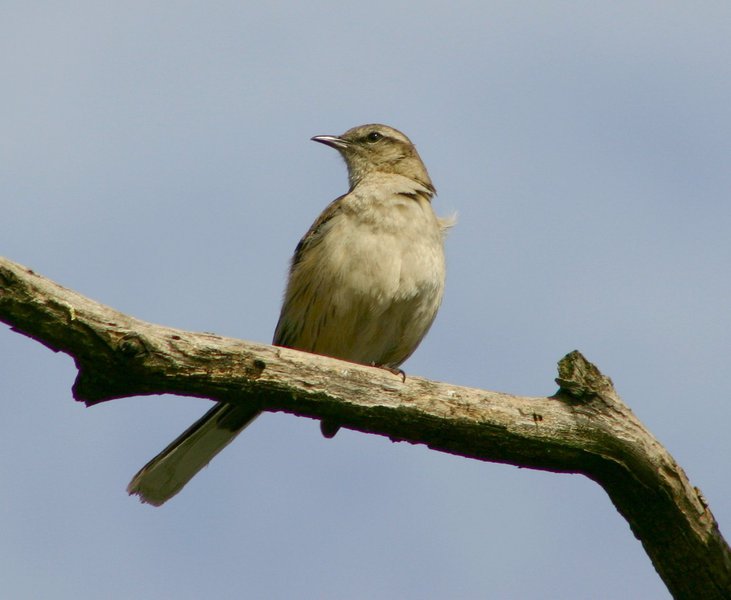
167	473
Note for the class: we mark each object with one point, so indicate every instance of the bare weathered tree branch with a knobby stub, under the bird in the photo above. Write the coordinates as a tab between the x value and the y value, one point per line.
584	428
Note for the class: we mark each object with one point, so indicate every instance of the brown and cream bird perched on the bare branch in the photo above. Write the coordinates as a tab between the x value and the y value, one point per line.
365	284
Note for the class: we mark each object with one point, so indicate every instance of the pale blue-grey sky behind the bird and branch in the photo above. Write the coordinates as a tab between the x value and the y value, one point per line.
156	157
